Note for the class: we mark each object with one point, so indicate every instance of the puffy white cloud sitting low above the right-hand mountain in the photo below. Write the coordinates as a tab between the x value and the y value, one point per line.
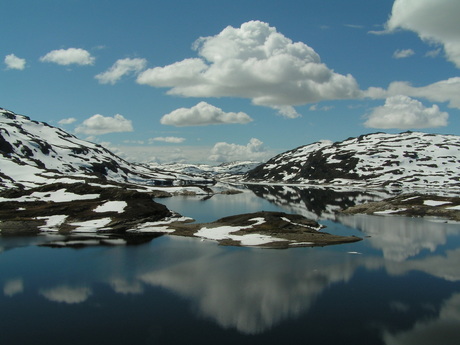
403	112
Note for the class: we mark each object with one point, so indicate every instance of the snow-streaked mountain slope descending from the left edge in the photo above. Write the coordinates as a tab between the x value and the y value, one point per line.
34	153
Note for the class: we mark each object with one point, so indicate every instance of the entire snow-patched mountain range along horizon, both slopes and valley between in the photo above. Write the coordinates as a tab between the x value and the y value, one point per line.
34	154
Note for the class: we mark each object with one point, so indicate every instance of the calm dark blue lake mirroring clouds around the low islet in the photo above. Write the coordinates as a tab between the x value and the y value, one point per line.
400	285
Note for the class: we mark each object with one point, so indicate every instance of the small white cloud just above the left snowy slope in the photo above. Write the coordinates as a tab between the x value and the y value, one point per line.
98	124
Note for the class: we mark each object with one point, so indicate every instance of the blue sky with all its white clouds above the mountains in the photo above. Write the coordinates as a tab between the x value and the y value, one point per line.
210	81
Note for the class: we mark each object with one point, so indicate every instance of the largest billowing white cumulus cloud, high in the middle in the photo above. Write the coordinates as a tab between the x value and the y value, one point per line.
256	62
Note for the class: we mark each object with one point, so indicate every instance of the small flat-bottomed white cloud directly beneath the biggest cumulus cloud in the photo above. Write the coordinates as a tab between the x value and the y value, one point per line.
203	114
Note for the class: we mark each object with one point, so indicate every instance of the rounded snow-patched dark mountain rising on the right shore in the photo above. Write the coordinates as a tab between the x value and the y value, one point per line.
405	160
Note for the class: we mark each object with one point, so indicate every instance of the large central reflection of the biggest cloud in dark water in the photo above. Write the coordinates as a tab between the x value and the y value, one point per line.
252	290
